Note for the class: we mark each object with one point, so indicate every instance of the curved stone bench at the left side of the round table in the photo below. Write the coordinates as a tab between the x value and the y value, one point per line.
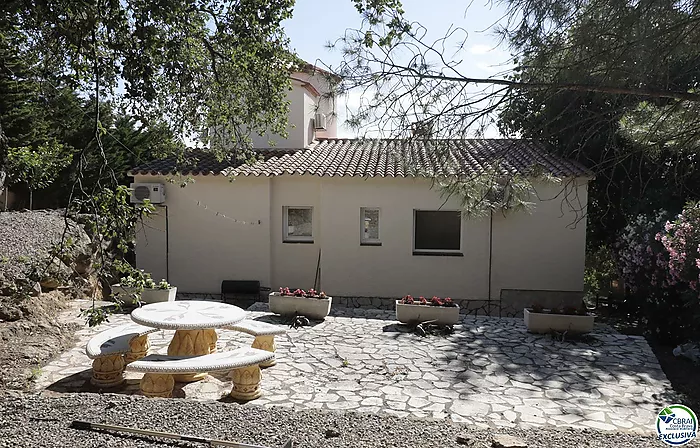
112	349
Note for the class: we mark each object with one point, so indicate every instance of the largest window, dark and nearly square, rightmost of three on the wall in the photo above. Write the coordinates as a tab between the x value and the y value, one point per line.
437	231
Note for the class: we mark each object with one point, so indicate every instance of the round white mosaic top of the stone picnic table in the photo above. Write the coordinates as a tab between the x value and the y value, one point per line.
187	315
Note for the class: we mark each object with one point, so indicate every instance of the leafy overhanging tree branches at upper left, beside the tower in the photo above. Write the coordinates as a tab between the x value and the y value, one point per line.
195	66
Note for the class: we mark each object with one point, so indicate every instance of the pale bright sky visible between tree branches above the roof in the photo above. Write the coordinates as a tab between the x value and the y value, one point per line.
314	24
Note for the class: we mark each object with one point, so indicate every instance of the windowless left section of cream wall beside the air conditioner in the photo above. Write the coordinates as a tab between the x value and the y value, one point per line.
204	248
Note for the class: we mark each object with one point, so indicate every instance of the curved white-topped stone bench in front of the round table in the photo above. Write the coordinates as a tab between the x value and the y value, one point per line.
244	363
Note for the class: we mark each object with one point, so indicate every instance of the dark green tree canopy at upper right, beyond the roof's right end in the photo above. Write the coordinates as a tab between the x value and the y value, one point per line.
641	148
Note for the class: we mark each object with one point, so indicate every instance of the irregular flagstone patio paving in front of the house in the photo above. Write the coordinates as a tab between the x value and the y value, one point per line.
489	372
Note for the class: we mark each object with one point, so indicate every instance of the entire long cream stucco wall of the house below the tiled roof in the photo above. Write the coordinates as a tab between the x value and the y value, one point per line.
537	251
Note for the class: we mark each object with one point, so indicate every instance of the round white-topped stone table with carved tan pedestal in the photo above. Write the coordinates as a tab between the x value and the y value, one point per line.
195	323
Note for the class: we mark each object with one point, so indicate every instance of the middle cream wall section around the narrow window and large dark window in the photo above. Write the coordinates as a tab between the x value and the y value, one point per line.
391	269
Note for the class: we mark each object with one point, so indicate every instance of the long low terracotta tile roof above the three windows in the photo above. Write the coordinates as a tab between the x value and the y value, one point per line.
388	158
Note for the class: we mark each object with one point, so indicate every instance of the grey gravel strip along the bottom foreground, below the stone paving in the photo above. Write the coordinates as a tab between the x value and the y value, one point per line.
36	421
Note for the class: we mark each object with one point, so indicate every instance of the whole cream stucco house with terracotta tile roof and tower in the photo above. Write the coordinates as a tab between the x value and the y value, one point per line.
361	218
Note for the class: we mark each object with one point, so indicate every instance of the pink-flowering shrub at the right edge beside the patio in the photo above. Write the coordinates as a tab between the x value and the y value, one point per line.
660	264
